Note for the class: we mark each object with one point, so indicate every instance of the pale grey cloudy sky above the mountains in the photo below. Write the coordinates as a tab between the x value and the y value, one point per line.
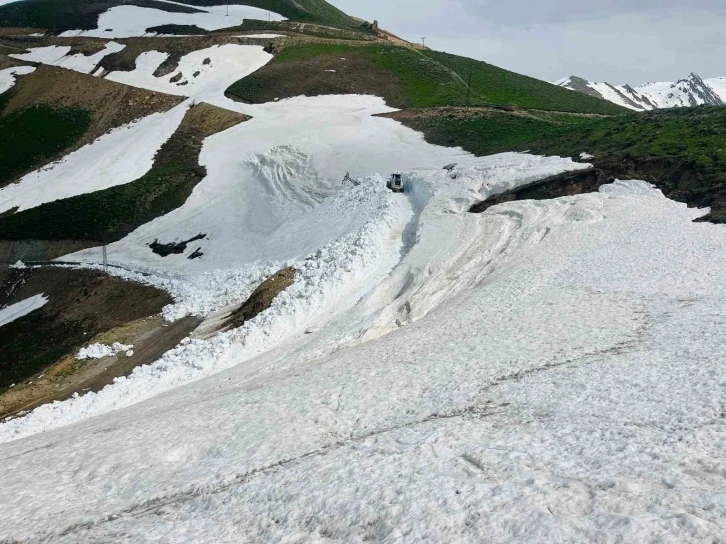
620	41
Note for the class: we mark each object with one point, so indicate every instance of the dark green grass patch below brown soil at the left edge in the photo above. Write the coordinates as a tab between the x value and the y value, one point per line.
36	135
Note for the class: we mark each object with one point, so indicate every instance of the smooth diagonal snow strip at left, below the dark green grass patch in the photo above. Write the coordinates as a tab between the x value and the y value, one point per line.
120	156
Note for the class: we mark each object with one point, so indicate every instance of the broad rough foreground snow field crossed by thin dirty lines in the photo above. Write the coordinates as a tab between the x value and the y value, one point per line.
538	403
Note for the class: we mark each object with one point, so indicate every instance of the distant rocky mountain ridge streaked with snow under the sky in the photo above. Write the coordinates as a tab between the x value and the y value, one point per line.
691	91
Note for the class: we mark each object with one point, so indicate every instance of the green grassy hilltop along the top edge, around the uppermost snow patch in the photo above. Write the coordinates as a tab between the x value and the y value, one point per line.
65	14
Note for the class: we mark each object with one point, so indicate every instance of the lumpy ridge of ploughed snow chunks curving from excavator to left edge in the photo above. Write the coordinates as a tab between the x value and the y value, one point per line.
325	282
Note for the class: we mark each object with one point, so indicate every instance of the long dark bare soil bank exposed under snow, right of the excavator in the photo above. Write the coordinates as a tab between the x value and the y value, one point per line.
567	184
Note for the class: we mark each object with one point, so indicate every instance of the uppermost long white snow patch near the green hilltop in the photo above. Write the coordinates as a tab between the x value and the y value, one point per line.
132	21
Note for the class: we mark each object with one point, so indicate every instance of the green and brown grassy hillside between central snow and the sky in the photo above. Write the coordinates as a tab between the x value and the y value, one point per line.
406	78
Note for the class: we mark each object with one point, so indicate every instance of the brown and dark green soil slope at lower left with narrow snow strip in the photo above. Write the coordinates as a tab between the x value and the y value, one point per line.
81	305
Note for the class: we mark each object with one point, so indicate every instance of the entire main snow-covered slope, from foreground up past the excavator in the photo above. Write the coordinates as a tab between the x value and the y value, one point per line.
548	371
